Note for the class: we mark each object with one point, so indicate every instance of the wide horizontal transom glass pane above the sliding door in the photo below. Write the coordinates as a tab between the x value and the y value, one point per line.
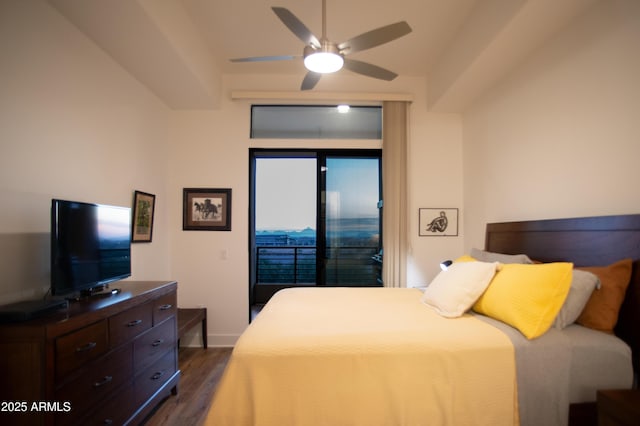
315	122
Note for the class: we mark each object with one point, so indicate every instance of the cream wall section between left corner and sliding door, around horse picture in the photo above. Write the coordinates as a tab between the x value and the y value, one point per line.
209	150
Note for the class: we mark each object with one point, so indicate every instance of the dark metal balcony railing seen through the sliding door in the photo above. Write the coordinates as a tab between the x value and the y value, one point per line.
349	266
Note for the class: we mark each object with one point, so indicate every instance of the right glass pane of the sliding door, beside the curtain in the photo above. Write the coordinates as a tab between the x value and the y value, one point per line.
352	220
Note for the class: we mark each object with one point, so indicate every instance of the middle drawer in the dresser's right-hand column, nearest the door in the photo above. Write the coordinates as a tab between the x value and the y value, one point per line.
148	347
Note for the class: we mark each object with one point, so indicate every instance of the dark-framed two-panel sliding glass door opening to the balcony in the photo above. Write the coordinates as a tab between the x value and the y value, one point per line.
315	219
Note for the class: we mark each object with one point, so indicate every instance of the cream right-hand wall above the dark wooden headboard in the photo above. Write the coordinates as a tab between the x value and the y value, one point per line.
560	137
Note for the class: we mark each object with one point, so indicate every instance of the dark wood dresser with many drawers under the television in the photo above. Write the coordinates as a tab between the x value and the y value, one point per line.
104	360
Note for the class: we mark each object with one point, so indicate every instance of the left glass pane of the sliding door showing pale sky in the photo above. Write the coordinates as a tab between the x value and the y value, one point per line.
285	211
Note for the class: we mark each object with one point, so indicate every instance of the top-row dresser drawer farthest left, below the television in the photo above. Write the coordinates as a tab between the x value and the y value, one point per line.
76	349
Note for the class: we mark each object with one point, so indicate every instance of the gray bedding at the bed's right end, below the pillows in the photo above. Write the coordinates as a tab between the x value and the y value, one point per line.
563	367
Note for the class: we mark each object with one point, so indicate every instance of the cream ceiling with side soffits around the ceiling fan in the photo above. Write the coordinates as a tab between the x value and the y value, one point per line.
180	48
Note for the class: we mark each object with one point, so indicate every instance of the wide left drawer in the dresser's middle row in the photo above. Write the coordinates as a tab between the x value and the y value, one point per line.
98	380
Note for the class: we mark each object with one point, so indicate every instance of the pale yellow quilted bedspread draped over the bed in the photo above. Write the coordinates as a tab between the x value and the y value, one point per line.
365	356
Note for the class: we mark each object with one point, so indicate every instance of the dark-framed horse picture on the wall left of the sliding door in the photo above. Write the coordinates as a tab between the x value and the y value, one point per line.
206	209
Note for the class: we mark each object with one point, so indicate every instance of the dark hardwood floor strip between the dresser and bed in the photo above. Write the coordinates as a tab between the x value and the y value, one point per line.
201	371
